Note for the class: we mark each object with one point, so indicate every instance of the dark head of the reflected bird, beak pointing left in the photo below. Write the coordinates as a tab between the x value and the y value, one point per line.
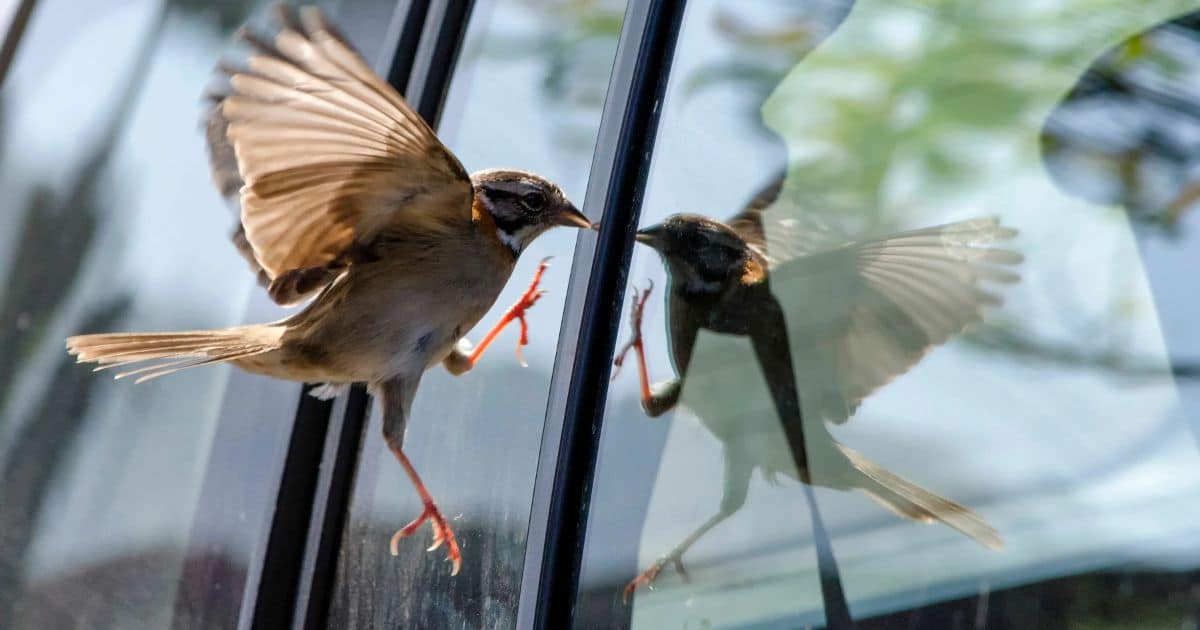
701	254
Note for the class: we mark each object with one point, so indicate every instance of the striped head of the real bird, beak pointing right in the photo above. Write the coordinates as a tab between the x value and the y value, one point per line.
524	206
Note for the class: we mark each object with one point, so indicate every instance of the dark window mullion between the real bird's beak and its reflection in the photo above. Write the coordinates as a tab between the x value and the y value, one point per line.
572	440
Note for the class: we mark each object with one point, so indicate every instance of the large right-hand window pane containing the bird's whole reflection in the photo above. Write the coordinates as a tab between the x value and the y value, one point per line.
1053	412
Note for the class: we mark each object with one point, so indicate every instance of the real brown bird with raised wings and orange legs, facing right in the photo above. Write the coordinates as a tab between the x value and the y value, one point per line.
349	201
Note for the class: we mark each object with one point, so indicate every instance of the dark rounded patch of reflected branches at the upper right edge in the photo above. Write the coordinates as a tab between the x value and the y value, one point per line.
1141	151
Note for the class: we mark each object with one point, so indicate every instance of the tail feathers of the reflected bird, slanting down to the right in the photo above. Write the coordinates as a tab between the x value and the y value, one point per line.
910	501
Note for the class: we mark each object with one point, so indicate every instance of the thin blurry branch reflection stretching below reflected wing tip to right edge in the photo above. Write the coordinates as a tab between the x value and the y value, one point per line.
1119	363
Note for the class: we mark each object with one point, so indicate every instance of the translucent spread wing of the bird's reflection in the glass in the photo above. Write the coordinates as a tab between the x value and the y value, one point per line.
863	314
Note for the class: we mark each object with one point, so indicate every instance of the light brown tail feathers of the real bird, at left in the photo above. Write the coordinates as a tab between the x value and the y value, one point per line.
164	353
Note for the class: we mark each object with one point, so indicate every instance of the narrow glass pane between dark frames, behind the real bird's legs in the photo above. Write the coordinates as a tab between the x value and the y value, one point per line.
527	94
